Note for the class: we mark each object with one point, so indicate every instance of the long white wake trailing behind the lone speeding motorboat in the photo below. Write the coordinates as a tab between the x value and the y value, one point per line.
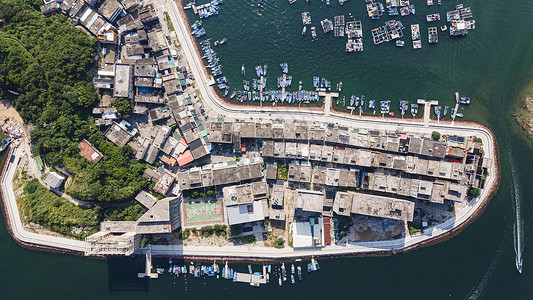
518	227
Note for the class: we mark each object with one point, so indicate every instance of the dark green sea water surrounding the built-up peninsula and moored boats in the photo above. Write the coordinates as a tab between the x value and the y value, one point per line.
492	65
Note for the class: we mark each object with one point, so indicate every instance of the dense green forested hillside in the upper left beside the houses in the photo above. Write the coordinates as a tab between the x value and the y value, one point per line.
46	61
